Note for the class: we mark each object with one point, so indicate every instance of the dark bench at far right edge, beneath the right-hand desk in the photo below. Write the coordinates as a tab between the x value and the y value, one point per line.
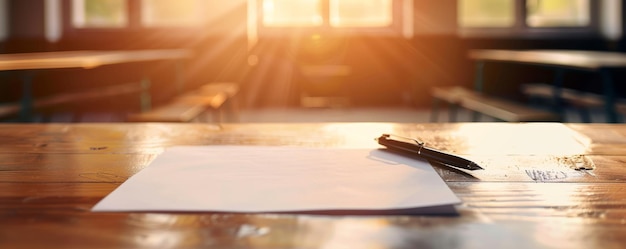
581	100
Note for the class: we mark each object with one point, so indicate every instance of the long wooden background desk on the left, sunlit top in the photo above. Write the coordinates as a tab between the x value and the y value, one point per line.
31	62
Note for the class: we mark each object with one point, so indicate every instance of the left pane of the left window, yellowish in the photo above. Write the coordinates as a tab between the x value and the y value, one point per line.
99	13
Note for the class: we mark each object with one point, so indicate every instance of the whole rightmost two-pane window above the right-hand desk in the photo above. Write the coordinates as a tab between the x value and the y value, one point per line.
540	18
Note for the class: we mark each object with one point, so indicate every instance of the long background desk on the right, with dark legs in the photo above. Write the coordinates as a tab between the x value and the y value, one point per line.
560	60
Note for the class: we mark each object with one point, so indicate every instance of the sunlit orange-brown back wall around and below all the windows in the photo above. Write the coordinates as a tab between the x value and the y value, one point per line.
385	70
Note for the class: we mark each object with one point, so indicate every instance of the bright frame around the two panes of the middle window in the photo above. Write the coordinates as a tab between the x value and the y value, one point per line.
393	29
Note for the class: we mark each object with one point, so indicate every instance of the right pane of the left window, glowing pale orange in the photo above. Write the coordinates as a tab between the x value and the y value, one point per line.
171	13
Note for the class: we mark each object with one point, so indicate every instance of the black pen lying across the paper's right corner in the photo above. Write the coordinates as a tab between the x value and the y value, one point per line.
418	148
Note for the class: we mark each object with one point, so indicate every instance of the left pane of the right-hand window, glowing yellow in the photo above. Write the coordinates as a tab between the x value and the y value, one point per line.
486	13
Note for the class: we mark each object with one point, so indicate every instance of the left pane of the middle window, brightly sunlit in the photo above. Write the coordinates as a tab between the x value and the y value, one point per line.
292	13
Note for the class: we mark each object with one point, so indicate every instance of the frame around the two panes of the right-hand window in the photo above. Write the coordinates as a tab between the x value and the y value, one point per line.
521	29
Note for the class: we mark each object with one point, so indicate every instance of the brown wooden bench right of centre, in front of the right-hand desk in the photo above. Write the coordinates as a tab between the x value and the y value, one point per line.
494	107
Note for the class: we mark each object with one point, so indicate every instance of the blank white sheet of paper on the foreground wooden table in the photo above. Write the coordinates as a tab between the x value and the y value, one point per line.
279	179
